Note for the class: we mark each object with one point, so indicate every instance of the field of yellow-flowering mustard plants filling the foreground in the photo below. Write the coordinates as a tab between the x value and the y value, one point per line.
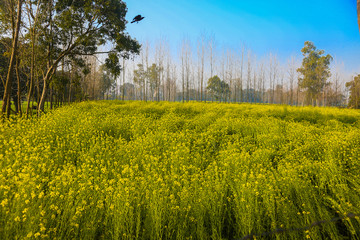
135	170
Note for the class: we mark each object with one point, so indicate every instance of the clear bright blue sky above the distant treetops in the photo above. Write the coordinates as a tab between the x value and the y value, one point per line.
277	26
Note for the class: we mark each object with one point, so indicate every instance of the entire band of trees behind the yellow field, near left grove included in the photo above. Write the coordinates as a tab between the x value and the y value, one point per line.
53	52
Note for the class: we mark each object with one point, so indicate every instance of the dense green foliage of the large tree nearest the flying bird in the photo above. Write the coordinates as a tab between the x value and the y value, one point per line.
84	25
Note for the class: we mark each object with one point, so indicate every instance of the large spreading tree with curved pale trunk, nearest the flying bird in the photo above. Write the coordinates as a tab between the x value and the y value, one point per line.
78	28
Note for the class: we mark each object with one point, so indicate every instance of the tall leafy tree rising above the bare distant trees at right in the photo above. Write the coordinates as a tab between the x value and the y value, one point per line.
314	71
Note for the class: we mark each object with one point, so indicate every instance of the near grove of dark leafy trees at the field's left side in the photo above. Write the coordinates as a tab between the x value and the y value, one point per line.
45	44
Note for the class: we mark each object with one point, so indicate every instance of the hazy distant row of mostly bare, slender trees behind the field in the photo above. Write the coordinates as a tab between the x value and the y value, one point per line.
203	72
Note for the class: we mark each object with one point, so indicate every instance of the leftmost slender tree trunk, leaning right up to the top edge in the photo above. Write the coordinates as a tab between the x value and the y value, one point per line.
9	77
